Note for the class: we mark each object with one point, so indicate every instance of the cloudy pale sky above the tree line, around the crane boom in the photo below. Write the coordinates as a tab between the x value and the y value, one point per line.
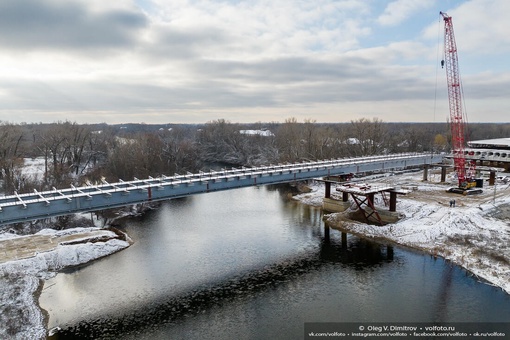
195	61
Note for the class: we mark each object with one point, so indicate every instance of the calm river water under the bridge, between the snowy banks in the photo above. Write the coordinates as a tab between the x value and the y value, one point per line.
253	264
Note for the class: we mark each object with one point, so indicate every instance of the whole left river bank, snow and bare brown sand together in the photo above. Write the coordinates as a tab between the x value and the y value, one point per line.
27	261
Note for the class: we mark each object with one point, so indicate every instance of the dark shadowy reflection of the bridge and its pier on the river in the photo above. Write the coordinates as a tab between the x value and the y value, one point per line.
359	254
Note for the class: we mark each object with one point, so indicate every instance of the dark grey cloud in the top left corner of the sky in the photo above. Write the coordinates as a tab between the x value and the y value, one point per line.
32	25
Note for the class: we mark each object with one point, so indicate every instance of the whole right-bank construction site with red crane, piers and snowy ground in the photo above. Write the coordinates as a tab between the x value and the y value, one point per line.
459	210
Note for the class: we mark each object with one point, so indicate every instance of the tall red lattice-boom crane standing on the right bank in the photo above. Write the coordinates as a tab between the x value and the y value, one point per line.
457	117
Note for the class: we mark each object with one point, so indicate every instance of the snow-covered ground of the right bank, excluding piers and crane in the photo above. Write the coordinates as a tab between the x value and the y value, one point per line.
474	234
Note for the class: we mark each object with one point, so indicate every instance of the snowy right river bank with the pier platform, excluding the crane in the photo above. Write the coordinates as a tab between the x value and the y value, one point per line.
473	232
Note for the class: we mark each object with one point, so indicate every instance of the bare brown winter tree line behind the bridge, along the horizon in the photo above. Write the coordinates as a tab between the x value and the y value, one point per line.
82	154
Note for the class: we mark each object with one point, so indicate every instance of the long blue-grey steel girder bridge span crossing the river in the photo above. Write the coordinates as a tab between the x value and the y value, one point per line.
39	205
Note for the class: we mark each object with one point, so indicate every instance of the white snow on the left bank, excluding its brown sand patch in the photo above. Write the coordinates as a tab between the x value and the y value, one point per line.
20	280
